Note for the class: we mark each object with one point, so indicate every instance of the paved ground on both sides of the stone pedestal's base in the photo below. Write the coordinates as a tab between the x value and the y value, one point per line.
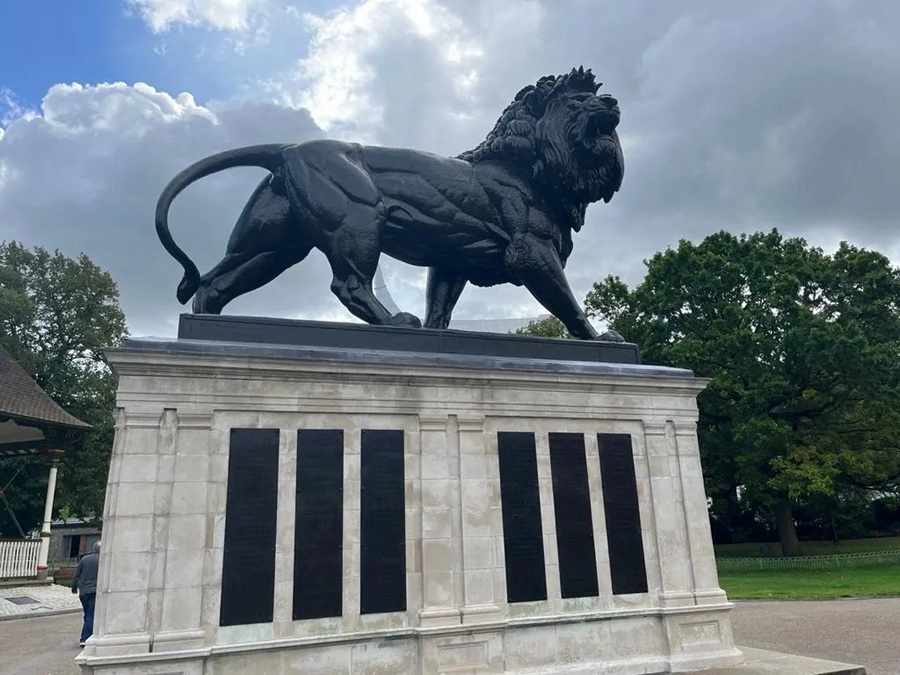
864	632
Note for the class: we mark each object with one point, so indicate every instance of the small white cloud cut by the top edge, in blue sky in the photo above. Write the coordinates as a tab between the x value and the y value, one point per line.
229	15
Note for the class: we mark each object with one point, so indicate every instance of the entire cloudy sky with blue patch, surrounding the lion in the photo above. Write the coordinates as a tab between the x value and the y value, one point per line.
736	115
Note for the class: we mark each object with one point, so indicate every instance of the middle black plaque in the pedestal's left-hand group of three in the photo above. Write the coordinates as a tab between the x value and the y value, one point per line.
318	530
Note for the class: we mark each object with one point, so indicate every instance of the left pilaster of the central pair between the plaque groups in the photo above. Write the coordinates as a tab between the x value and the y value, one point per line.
438	465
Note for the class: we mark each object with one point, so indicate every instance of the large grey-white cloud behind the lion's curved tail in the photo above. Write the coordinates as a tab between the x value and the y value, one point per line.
84	173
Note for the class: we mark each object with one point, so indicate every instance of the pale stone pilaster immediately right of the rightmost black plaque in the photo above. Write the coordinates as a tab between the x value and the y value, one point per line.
676	579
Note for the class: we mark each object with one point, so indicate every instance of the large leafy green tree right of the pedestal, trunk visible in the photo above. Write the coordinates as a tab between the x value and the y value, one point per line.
802	350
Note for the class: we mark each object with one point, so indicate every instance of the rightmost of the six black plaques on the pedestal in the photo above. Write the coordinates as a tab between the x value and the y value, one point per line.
627	566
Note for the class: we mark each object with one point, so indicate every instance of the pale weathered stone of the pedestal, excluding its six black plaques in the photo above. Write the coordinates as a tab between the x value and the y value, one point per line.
160	586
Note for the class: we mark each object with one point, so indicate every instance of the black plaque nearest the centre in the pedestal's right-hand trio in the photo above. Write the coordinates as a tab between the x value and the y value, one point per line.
523	541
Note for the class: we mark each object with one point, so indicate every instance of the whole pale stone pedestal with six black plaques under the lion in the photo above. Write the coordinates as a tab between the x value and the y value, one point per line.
320	510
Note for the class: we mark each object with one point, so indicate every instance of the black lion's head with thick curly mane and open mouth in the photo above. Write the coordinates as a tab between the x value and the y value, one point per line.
565	133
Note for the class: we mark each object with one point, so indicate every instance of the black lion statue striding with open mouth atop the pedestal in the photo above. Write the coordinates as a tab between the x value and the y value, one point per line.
503	212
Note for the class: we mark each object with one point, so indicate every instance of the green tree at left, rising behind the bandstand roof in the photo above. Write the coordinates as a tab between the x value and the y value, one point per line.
56	316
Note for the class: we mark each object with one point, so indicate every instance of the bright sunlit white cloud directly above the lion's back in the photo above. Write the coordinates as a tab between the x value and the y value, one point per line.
409	71
